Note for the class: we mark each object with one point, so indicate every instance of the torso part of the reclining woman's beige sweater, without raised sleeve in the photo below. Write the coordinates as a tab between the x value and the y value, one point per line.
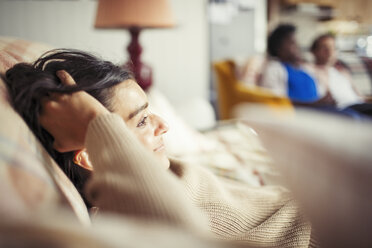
256	216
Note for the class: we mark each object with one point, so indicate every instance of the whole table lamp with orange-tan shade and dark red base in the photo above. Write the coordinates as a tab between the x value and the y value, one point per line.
135	15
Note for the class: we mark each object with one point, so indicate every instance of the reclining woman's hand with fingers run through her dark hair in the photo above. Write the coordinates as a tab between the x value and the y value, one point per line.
66	116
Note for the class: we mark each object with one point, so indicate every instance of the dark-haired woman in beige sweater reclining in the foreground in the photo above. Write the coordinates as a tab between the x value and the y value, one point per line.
94	120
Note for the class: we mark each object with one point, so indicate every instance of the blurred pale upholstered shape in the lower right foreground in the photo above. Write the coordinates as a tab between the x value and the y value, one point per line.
326	161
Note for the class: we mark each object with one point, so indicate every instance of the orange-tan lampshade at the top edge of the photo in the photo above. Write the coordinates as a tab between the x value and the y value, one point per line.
134	13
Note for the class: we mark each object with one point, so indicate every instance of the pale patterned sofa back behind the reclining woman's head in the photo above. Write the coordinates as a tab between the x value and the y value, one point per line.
30	179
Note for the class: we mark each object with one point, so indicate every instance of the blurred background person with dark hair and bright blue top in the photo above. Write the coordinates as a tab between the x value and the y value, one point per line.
283	73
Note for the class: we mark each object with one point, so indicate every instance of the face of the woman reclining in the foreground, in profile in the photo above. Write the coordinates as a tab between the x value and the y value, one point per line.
130	102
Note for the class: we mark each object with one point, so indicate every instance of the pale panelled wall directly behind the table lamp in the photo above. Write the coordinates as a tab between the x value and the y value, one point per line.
178	56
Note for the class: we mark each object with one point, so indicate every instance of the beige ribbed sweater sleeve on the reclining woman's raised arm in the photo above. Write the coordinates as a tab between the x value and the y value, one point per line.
127	178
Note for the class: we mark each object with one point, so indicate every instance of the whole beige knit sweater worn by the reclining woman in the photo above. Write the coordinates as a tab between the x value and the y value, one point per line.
129	181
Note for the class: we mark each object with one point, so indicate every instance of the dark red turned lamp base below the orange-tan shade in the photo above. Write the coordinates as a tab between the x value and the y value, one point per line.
142	72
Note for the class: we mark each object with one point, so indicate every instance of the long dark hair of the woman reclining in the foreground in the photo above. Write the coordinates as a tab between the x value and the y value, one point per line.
29	83
